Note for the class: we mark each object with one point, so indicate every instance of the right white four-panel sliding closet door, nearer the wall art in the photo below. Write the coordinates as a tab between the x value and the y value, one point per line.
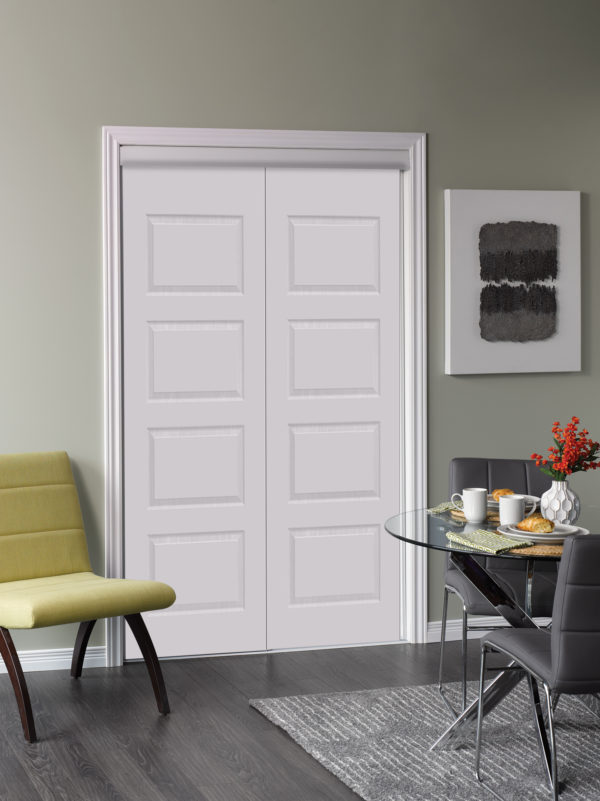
333	405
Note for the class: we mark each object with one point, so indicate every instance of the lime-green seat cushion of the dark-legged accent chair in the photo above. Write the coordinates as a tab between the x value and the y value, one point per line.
74	597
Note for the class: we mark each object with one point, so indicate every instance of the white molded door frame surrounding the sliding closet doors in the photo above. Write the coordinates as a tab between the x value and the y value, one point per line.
404	151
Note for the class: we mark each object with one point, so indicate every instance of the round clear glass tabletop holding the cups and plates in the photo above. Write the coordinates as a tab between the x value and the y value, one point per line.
429	530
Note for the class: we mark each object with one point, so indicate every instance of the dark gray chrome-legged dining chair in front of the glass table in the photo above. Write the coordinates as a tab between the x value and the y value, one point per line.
565	660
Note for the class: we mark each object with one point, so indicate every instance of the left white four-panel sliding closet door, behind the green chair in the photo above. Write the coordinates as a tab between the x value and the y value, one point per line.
194	402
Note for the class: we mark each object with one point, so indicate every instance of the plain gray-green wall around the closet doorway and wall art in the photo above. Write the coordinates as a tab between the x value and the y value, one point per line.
507	90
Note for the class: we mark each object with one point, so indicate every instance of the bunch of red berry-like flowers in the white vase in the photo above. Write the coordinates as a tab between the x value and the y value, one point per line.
572	452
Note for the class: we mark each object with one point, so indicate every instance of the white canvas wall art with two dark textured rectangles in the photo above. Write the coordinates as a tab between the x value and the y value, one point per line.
512	281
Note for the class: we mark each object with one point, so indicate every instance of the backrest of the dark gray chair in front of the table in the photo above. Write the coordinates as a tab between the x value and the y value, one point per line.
576	617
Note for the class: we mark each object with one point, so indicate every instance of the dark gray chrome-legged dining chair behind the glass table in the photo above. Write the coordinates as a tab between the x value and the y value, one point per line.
522	476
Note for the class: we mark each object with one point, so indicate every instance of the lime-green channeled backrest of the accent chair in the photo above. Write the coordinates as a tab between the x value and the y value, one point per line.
41	528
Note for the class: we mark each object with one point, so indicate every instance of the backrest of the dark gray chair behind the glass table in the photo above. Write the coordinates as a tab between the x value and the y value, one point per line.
520	475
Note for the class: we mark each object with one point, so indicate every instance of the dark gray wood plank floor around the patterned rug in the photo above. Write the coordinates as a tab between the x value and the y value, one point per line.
102	738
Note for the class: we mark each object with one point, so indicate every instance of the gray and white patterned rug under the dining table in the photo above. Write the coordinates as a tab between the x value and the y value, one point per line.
377	742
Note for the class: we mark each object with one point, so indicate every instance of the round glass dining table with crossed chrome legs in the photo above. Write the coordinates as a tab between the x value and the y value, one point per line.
428	530
